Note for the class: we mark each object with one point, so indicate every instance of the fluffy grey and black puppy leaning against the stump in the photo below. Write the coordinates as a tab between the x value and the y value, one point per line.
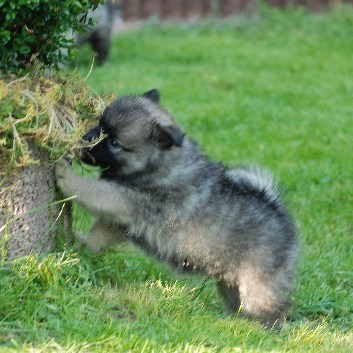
159	190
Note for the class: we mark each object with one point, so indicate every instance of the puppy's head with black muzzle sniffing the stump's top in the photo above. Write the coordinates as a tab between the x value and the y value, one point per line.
137	132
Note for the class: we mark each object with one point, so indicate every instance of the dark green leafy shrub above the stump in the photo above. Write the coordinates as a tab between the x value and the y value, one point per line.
33	31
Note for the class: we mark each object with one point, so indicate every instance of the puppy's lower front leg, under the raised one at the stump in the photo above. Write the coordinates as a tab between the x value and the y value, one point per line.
102	235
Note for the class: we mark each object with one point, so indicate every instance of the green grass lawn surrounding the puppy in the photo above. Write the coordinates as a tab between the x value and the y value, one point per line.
274	89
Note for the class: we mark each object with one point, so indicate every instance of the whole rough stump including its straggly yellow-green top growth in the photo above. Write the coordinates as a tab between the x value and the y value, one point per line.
41	120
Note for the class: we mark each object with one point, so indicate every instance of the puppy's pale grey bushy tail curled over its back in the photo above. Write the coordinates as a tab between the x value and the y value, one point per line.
256	180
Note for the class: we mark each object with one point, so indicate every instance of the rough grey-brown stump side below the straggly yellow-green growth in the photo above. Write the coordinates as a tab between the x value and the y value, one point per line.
29	221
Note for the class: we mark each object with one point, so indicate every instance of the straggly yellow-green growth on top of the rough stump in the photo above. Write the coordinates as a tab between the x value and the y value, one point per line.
51	112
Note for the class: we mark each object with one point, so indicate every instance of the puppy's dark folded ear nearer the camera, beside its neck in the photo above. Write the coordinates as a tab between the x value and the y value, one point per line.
166	137
